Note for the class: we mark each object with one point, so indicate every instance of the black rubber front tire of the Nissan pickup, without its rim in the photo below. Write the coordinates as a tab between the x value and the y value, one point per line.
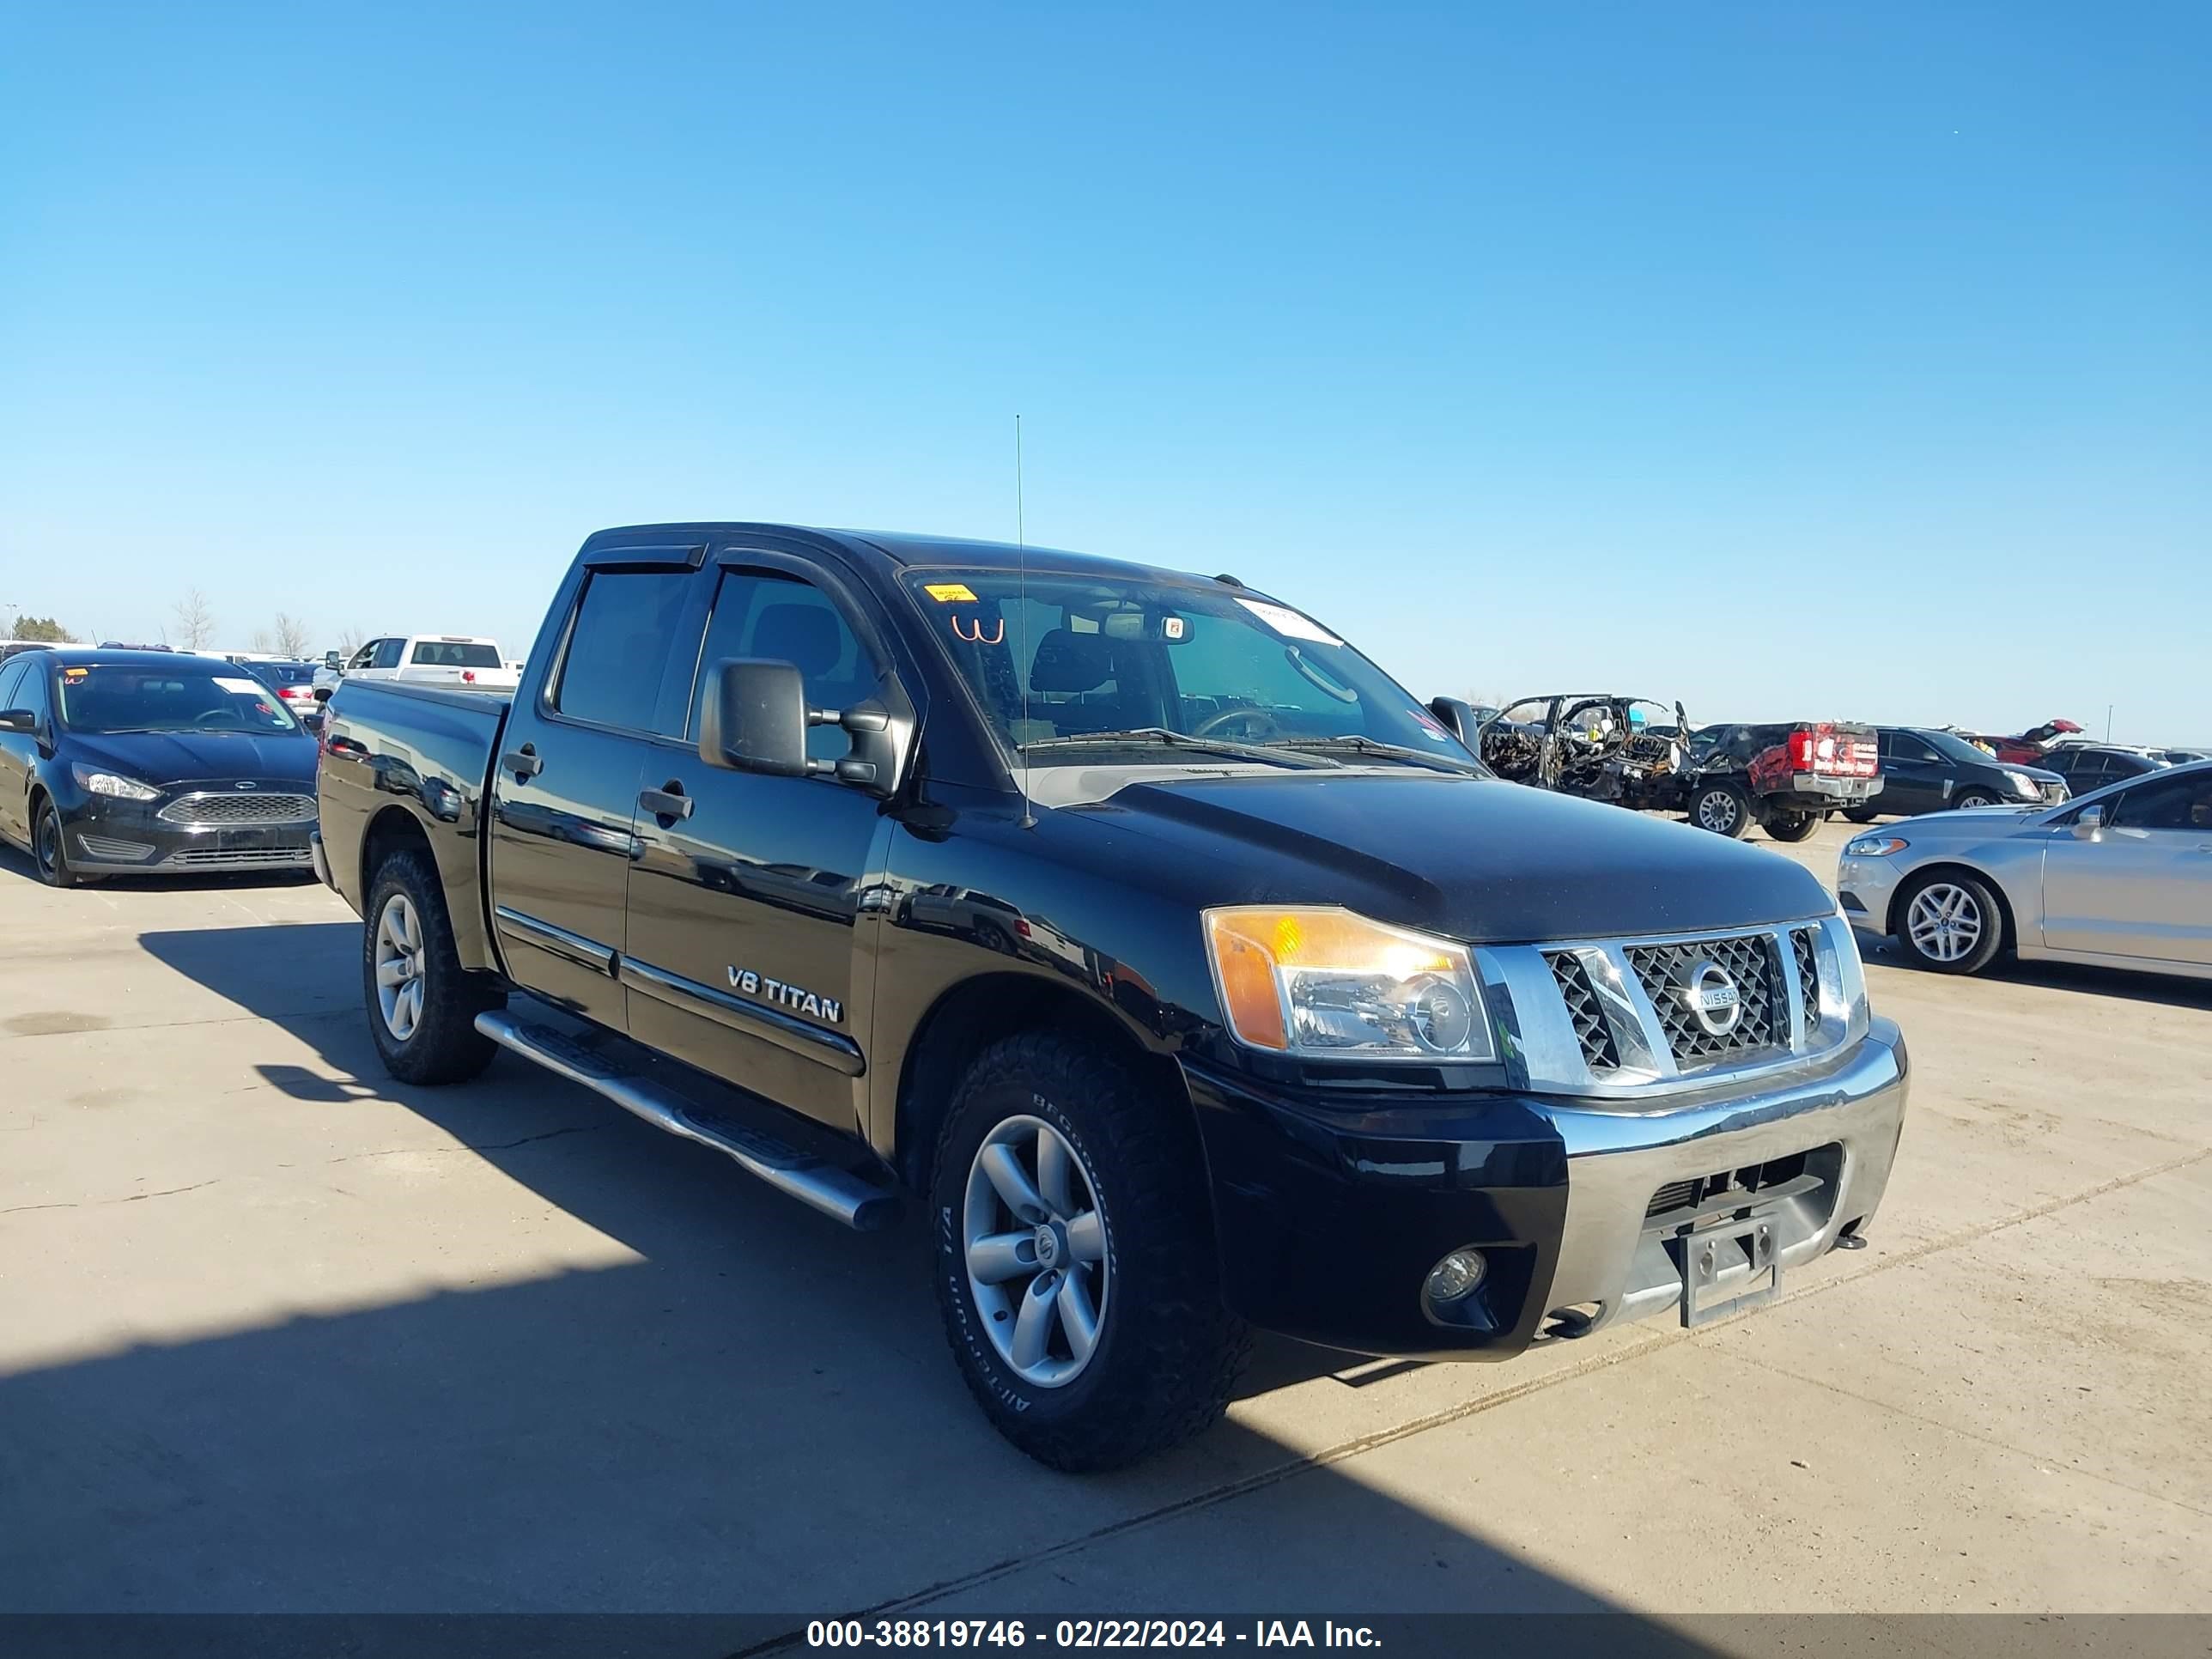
1169	1350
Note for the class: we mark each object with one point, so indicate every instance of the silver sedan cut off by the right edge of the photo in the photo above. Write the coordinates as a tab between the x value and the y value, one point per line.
2120	877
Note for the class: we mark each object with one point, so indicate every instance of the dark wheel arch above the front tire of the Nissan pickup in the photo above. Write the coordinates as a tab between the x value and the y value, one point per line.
983	1010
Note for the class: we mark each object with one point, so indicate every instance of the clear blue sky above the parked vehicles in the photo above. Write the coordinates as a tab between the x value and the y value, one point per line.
1788	359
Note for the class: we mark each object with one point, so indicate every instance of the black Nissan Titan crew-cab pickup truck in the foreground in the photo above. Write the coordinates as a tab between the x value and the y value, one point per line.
1185	966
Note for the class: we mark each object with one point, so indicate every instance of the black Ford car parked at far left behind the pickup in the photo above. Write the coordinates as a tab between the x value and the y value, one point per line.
149	764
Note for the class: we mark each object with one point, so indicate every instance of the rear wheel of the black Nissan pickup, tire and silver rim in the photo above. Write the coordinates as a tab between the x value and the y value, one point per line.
421	1001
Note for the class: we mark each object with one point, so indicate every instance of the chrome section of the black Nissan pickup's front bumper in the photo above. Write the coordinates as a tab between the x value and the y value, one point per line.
1629	1264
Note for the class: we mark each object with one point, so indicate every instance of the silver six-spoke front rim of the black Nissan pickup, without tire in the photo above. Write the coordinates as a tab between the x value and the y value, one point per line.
1036	1251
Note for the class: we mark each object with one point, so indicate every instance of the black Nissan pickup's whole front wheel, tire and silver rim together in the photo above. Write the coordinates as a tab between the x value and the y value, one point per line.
1076	1258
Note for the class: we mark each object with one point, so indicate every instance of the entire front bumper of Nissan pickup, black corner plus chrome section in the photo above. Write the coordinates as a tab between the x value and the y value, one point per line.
1333	1211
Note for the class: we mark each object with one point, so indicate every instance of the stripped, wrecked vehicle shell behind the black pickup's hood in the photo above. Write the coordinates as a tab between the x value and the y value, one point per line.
1600	747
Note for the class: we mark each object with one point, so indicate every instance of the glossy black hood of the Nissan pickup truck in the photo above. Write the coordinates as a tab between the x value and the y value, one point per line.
1472	859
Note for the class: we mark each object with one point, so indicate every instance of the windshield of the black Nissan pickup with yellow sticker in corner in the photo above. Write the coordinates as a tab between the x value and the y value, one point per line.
1092	656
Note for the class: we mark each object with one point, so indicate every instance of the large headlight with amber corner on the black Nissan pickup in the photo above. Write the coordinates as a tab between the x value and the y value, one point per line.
1319	983
